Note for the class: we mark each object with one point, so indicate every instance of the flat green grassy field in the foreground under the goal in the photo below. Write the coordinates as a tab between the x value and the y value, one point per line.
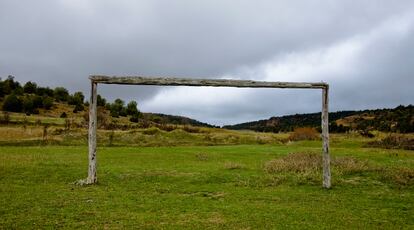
208	187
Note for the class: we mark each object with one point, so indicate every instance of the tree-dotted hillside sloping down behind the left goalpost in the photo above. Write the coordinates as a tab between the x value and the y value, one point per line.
44	102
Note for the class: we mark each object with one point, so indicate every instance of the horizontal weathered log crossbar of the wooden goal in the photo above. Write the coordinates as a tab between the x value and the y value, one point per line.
138	80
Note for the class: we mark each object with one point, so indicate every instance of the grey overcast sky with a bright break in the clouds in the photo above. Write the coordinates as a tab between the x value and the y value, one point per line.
363	49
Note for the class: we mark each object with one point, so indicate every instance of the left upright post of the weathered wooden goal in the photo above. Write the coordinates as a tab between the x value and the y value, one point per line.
92	135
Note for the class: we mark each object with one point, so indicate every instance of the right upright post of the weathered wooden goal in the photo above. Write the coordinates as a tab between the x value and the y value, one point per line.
325	138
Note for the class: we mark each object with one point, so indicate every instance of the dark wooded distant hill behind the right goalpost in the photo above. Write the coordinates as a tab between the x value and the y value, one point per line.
399	119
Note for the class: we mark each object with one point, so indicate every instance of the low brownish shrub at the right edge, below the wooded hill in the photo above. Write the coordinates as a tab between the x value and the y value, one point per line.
394	141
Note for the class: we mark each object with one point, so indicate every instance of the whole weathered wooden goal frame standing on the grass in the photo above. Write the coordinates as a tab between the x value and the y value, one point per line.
139	80
